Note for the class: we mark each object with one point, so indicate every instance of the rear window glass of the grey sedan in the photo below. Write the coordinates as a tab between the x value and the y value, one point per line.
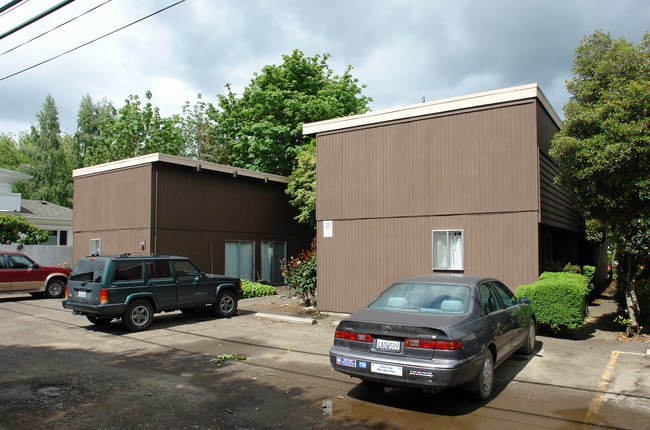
425	298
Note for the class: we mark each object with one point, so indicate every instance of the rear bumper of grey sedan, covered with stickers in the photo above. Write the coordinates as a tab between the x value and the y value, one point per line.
418	373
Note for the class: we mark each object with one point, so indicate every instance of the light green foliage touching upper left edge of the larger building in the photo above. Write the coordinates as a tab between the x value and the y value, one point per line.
302	188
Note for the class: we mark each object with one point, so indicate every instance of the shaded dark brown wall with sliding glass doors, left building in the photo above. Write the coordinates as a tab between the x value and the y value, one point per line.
199	211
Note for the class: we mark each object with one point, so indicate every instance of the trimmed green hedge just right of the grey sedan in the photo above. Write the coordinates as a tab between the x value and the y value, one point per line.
559	300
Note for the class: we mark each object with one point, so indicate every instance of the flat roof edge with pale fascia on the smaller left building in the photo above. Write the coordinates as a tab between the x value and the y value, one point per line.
180	161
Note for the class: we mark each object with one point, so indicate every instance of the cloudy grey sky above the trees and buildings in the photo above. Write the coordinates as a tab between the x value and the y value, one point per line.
402	50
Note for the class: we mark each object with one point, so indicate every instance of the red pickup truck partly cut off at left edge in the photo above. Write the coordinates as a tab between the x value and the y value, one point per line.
19	273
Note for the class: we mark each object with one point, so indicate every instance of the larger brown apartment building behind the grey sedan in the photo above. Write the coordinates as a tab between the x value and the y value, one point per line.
461	185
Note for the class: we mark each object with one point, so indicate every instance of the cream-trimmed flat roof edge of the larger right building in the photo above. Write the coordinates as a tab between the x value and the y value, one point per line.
504	95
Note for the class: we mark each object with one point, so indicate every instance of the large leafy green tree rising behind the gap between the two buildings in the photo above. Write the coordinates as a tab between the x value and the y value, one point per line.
262	129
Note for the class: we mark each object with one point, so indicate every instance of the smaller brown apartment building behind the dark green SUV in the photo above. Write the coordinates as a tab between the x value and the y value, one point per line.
228	220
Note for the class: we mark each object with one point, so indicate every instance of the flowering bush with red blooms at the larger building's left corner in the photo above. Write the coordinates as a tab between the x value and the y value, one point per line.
300	274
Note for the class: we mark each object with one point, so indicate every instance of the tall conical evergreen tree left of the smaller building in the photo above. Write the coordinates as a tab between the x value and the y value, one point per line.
45	160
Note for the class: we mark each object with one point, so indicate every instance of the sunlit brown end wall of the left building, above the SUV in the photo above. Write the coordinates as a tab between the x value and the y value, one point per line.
115	207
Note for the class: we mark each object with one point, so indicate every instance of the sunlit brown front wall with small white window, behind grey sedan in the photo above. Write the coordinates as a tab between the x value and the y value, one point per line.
385	187
